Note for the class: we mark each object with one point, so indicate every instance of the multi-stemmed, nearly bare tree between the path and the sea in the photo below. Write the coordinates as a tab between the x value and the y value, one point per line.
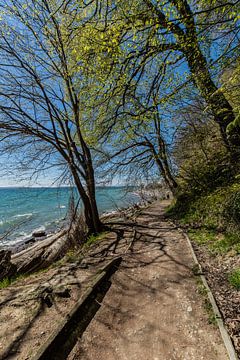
39	101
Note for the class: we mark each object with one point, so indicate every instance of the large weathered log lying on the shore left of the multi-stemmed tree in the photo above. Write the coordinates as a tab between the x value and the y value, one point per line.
42	254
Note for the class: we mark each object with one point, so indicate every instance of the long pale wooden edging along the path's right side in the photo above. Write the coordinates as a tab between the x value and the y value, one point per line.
219	319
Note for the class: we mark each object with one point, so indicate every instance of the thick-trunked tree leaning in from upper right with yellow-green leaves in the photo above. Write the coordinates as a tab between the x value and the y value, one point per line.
178	31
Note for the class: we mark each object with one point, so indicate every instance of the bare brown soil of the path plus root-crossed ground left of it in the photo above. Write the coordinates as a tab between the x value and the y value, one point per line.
152	311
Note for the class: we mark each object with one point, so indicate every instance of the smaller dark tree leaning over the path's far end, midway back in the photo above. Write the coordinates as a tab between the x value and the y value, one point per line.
139	144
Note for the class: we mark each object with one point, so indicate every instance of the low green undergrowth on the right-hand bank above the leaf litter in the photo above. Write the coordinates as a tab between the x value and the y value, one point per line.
212	219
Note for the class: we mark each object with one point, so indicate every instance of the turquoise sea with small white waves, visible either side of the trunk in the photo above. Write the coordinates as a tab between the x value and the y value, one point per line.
23	210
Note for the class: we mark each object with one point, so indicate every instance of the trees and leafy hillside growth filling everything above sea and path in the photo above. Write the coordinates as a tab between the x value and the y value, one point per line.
146	89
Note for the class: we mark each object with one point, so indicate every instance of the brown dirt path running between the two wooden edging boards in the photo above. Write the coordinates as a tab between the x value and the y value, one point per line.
153	310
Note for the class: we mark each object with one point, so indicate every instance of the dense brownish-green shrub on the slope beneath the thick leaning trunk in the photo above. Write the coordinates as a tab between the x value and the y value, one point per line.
199	152
